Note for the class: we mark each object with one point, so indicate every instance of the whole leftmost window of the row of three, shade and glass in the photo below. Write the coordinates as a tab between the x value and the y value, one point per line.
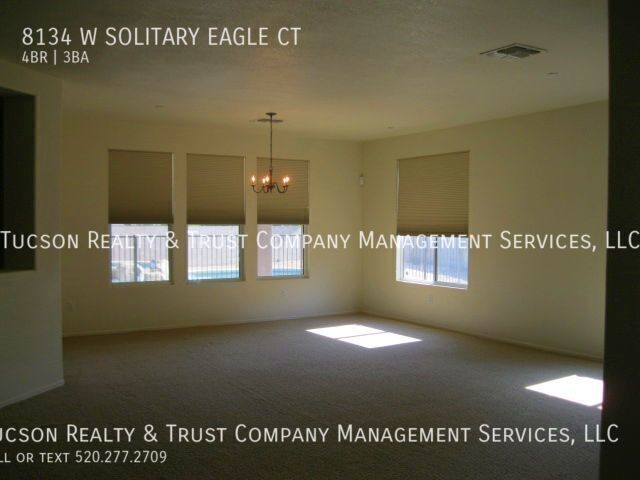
140	215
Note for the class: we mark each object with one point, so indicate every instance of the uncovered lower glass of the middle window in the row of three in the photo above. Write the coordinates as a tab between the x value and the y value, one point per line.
214	252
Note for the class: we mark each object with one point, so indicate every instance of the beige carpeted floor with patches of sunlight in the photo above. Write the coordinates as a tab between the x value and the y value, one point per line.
277	374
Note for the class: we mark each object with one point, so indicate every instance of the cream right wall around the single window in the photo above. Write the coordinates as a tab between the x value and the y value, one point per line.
540	173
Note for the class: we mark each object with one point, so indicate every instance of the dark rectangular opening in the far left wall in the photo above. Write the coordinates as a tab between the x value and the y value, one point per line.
17	176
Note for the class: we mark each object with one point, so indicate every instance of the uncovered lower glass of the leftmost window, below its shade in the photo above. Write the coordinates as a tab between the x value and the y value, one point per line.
139	253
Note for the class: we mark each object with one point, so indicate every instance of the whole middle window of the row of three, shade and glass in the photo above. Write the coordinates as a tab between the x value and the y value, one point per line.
215	216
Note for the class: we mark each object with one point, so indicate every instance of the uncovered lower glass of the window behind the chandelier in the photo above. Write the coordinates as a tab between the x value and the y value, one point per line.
281	251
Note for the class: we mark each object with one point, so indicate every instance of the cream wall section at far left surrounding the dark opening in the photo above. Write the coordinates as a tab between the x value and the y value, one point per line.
30	324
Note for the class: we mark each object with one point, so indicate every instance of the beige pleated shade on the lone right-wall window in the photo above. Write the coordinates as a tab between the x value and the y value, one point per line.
433	195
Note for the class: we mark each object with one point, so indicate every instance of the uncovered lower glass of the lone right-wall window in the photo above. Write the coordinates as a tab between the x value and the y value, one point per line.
437	260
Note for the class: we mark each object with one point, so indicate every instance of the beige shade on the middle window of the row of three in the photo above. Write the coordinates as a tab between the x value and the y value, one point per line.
215	190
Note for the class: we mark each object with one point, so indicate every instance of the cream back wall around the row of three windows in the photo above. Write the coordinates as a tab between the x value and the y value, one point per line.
92	305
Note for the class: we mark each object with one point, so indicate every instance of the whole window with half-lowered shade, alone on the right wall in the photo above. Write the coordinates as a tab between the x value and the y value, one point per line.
433	205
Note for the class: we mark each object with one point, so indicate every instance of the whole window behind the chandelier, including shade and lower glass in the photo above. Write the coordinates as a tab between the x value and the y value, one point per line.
282	221
